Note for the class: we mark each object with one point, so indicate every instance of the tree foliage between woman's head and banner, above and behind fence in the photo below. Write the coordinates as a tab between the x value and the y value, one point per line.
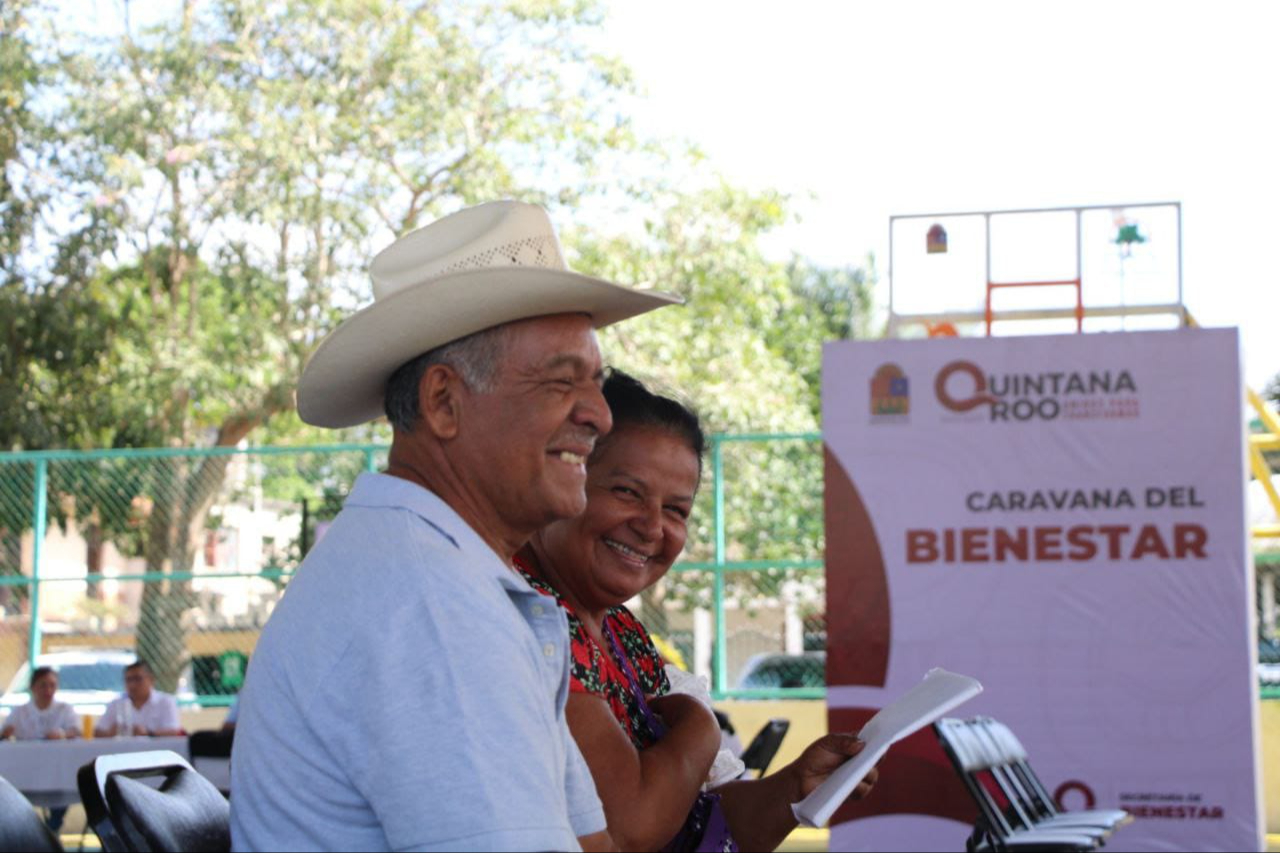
746	353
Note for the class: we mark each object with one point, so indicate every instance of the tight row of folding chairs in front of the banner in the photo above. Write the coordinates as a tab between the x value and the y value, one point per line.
1023	818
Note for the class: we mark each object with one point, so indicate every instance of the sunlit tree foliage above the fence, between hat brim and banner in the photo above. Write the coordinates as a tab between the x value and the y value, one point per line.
706	248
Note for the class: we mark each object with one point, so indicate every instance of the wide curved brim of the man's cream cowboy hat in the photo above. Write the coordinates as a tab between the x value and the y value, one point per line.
345	381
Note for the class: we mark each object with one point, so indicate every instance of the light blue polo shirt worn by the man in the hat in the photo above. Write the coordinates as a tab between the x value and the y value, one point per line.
409	695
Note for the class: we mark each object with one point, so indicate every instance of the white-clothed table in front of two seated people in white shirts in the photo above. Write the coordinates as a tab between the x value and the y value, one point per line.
45	770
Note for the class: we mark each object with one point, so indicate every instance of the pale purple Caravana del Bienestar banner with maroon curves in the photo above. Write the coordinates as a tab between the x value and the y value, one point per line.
1062	518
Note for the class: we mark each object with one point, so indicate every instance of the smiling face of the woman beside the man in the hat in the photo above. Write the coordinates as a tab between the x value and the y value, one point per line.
641	489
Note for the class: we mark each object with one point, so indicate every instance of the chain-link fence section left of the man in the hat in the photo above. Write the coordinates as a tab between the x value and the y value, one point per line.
177	558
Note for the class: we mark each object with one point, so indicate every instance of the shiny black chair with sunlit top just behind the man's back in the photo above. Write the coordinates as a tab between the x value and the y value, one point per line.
185	813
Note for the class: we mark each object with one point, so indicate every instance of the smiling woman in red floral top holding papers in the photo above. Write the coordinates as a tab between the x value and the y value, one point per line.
651	749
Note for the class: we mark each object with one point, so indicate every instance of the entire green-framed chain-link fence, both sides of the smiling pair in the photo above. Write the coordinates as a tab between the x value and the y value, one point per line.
179	556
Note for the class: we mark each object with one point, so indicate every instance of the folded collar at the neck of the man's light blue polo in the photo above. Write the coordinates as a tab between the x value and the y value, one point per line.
385	491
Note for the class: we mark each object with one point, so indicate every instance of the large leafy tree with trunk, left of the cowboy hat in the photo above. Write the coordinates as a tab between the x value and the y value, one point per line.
228	174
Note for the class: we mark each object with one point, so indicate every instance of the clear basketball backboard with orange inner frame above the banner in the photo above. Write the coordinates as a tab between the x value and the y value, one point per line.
1012	272
